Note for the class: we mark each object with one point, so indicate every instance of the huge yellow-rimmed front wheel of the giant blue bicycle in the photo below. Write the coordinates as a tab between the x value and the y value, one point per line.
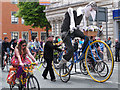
99	61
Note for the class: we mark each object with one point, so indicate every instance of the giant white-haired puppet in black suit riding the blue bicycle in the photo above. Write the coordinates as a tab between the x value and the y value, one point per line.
70	28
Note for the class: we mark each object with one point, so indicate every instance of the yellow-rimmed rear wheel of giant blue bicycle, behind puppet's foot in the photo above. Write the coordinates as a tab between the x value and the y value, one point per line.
68	64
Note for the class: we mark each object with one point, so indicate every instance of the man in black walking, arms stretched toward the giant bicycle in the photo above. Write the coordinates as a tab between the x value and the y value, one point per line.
48	56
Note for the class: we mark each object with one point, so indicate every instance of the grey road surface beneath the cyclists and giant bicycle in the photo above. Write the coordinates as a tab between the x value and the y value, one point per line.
76	81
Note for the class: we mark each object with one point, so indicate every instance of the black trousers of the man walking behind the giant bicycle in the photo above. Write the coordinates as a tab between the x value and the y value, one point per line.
49	68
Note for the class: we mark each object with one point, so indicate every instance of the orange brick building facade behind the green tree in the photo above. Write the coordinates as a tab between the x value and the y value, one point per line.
13	27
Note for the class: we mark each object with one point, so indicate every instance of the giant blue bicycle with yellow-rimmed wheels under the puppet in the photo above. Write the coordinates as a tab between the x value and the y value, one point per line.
93	69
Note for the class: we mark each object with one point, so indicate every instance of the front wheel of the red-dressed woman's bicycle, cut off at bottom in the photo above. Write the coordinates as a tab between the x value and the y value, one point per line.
32	83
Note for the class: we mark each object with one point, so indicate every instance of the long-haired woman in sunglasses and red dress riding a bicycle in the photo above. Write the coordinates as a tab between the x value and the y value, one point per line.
20	58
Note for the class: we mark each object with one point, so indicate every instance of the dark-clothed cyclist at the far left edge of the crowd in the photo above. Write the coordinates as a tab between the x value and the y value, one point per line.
5	50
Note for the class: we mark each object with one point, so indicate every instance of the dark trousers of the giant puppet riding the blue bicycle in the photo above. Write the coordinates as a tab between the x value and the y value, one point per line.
67	41
